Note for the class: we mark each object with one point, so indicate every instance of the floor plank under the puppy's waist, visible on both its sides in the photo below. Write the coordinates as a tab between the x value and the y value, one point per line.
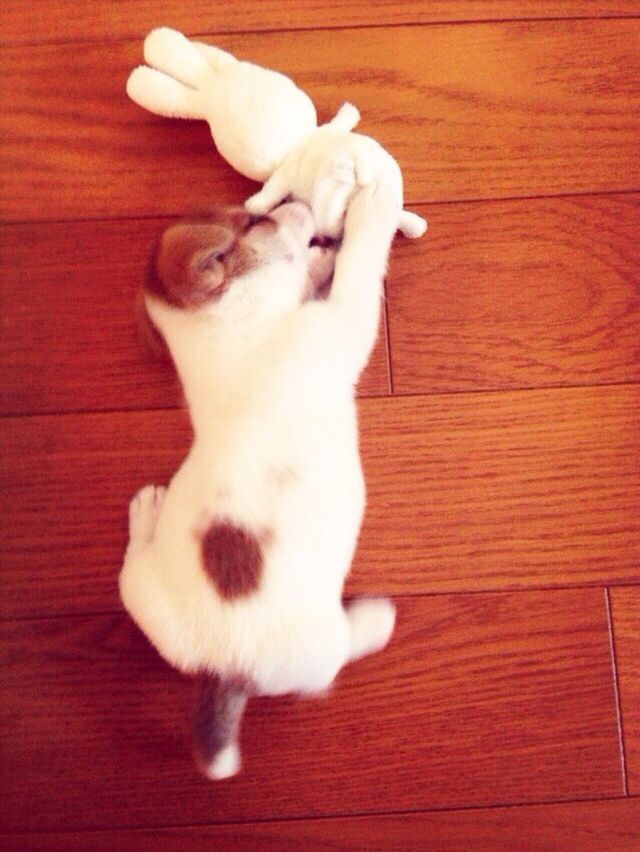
466	493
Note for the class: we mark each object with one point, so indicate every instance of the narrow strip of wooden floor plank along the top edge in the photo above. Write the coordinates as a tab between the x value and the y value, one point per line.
109	19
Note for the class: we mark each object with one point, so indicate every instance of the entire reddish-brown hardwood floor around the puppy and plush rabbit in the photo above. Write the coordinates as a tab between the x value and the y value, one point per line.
500	435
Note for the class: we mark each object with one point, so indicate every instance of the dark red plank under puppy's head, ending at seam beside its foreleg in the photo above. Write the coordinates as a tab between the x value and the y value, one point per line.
70	337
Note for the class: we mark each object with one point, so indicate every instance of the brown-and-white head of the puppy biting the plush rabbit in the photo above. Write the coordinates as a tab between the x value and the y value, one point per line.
237	265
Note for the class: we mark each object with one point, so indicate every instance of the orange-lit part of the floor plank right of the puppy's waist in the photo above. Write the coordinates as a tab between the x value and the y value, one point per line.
503	490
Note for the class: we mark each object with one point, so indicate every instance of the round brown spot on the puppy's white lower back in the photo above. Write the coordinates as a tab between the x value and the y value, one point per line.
232	558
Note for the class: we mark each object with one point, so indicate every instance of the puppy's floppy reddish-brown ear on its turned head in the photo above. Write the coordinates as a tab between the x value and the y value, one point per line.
187	269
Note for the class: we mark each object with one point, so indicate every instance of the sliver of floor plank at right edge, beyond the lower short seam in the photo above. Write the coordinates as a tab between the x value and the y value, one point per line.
625	610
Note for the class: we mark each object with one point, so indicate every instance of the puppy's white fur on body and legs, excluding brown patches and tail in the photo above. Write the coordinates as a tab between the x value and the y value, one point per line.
270	385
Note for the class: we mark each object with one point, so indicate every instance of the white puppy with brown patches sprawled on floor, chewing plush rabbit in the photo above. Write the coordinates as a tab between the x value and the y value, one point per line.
236	571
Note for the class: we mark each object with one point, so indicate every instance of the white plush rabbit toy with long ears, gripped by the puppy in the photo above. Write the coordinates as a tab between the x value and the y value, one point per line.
266	128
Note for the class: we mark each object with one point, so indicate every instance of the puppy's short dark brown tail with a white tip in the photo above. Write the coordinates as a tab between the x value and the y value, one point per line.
219	707
